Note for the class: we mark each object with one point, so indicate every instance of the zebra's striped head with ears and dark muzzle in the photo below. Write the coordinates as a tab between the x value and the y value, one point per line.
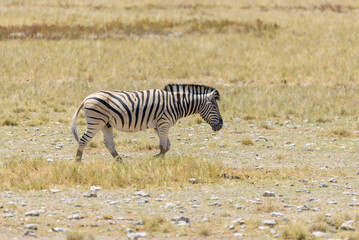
210	111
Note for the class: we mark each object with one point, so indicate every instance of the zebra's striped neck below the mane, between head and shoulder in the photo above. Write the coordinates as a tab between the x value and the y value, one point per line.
186	104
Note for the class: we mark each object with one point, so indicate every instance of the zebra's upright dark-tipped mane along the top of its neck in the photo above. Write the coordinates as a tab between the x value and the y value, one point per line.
192	88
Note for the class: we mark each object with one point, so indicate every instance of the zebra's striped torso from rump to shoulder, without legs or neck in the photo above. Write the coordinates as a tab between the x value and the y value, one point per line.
129	111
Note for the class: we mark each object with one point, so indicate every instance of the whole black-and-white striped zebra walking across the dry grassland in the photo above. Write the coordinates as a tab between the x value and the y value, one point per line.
132	111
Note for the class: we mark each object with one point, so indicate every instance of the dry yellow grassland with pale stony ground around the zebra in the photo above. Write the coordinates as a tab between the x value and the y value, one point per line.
288	74
